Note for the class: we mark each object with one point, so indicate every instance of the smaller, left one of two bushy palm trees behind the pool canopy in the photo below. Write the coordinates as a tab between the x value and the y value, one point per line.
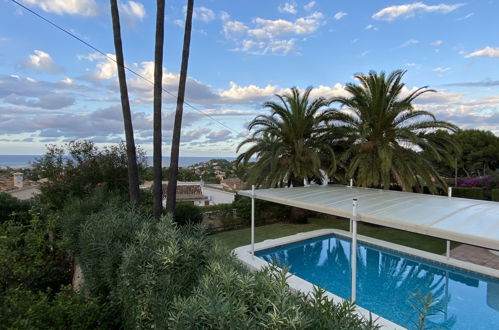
288	143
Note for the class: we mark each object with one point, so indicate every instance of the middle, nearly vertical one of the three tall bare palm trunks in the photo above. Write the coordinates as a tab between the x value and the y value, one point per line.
158	87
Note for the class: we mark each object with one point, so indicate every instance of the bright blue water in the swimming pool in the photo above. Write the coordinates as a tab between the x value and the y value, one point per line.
386	281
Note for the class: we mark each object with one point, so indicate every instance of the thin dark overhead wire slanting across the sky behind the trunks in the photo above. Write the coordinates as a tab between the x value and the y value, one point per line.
114	60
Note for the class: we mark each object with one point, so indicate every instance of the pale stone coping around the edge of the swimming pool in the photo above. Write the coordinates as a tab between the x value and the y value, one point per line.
296	283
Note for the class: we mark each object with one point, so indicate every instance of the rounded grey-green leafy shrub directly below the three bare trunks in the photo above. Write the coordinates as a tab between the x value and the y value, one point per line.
162	263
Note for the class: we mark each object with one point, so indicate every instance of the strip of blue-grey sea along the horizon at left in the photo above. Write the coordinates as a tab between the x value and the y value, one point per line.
24	161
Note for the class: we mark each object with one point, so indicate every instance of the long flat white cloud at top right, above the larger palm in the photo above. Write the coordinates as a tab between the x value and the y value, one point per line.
405	11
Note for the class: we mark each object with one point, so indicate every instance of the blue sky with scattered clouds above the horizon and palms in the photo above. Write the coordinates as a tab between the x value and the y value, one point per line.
55	89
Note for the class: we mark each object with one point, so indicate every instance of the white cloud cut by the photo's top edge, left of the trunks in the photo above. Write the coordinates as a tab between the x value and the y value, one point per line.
71	7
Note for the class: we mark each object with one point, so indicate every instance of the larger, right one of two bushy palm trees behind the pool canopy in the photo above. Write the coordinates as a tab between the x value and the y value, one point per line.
384	134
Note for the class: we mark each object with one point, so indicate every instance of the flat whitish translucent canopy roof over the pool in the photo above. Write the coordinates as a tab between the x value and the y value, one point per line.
463	220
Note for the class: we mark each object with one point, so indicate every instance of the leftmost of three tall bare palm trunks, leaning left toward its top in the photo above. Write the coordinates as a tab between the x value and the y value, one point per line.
133	173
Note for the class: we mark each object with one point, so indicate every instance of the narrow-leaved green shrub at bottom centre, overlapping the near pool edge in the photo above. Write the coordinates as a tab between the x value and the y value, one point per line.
230	297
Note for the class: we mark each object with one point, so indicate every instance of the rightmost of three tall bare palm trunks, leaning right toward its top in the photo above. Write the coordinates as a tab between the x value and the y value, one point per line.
172	184
